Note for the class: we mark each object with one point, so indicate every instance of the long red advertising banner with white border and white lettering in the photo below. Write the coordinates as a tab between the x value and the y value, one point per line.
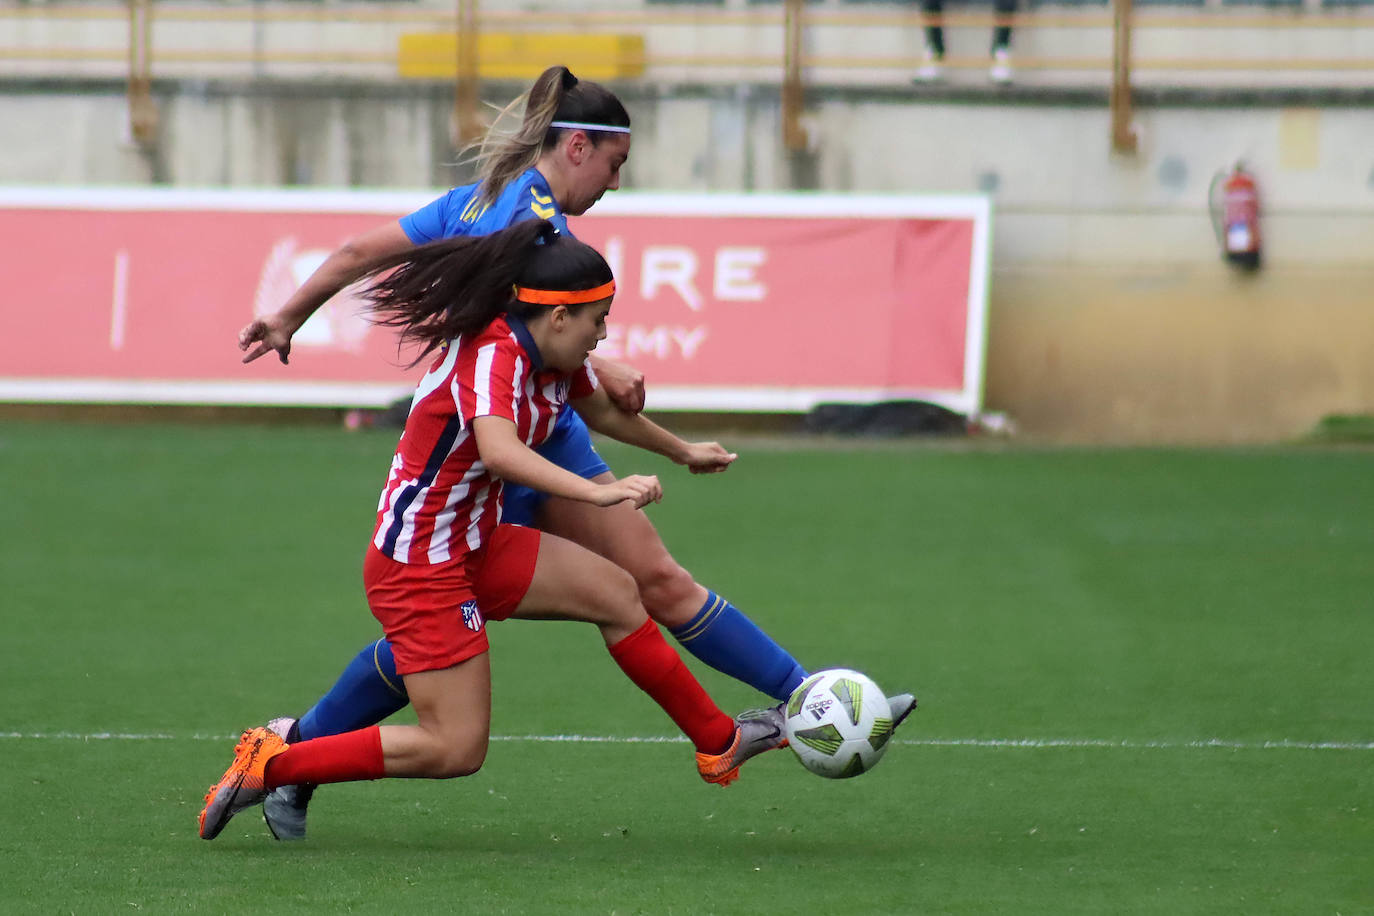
734	303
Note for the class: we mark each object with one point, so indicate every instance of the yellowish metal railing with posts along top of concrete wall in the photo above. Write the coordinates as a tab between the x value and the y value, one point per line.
791	45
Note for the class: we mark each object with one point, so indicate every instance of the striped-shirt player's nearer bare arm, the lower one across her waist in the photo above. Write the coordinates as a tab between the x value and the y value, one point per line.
508	458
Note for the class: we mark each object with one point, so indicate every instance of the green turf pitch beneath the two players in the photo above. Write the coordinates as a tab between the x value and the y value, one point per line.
1144	676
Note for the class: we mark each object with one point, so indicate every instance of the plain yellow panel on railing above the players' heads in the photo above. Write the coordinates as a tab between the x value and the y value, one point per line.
512	56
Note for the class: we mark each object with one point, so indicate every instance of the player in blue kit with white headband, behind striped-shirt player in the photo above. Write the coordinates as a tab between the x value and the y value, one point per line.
568	152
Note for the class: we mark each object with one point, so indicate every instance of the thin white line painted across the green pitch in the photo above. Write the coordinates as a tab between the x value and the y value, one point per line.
1026	744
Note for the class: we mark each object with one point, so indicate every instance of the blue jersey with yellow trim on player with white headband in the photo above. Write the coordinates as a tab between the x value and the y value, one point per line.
458	212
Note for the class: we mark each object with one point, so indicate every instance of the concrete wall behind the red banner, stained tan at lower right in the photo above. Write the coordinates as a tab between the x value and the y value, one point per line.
1112	318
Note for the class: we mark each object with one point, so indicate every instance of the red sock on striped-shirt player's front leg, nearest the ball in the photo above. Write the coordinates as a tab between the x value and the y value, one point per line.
657	669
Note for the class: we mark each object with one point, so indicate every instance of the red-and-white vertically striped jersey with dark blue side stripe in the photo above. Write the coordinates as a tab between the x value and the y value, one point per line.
440	502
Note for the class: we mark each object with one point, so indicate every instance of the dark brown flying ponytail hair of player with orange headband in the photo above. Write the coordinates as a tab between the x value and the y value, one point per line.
458	286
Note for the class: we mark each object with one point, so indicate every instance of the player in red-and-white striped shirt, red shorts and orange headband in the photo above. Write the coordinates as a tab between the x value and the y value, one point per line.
515	318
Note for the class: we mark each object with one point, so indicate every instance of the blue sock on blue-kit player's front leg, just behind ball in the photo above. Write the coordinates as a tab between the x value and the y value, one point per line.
733	645
